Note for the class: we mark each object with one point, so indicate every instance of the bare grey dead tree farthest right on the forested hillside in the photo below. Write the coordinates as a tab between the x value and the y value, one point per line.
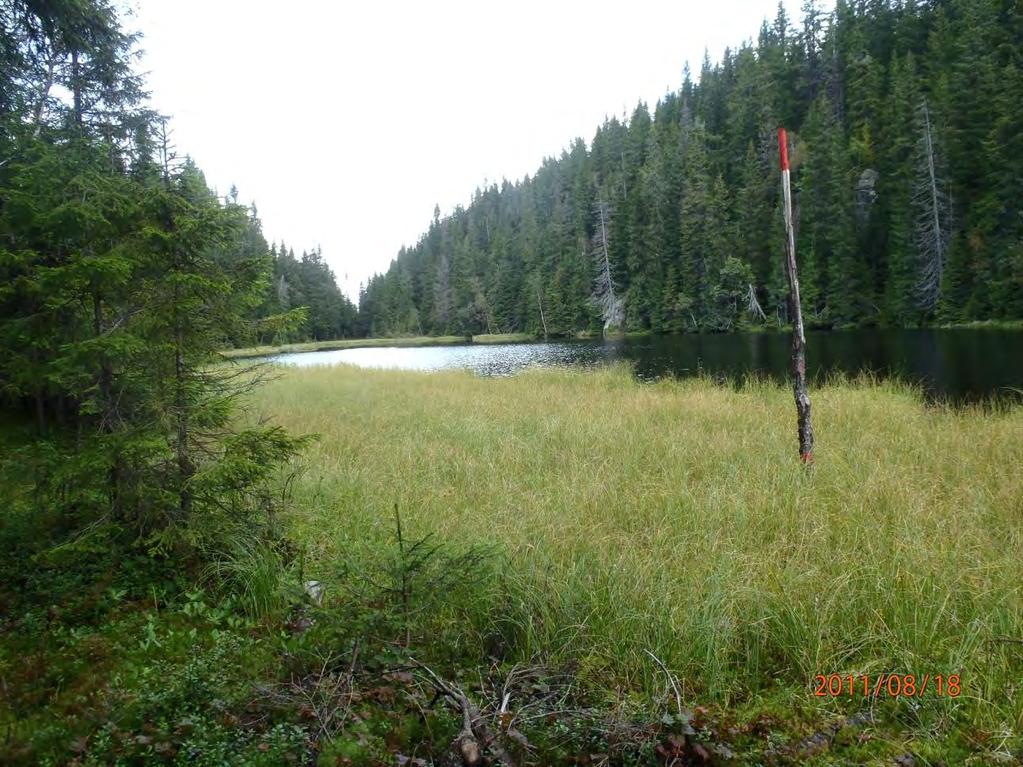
933	206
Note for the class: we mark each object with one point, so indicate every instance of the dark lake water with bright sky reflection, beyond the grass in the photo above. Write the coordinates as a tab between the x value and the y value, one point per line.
961	365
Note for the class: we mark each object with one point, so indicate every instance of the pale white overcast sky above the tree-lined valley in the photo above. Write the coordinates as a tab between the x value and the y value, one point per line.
346	122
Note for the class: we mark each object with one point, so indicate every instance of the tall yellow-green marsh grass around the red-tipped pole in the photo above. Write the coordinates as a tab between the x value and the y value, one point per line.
676	518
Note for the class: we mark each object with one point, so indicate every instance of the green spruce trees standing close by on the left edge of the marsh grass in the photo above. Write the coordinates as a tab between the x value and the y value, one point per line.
123	276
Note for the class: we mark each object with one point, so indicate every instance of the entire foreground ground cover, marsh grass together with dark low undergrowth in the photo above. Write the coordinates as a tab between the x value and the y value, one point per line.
598	598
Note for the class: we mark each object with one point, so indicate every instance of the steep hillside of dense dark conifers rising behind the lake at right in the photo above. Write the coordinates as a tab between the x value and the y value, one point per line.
909	169
